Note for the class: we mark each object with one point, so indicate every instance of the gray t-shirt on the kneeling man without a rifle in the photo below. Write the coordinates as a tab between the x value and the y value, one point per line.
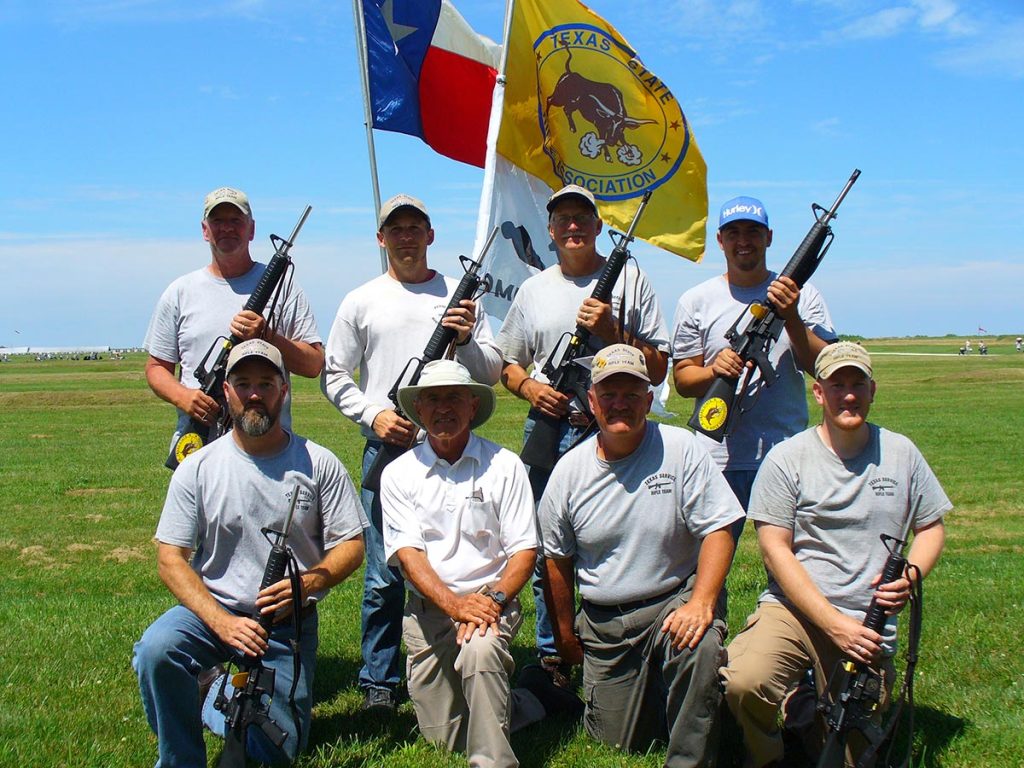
635	526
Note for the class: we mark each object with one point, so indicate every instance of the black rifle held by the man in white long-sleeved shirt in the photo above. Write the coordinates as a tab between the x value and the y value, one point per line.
437	349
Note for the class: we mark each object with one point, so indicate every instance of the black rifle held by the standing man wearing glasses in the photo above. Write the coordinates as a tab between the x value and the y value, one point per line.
568	376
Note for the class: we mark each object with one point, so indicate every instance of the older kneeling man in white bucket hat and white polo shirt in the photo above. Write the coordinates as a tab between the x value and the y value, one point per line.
458	517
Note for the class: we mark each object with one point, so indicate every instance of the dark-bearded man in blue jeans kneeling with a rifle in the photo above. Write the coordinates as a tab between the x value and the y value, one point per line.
212	557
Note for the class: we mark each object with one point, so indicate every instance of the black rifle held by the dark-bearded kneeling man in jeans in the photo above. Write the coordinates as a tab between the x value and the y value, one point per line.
254	681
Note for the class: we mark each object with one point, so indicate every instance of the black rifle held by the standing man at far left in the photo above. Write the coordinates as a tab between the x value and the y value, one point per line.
211	380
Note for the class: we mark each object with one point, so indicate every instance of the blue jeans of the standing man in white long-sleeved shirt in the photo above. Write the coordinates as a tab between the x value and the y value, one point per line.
383	598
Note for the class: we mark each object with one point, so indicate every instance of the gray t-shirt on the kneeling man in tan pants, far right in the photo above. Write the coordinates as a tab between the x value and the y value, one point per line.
838	509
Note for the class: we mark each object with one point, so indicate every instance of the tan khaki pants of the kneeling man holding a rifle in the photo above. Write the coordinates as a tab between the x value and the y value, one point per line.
766	661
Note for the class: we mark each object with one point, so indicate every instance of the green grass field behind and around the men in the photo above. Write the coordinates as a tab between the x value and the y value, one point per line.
82	483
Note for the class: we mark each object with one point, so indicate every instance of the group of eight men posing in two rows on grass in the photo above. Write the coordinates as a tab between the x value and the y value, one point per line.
628	540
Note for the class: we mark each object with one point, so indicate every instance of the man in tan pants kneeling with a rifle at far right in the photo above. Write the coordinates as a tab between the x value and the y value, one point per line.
821	502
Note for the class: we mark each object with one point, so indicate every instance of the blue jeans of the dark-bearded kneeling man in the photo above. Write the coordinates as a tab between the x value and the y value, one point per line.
168	659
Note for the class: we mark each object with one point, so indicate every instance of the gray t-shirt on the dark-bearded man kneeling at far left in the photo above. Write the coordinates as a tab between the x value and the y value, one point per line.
222	497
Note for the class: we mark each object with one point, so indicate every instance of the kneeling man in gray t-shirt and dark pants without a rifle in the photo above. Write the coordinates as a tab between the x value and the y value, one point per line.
642	514
